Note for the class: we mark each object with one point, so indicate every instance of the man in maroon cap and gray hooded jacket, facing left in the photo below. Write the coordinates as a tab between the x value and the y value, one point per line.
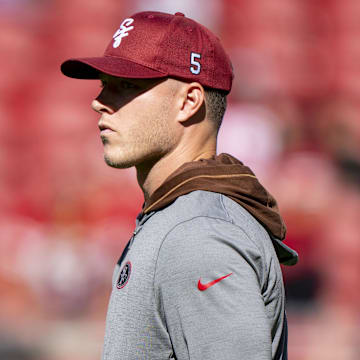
200	277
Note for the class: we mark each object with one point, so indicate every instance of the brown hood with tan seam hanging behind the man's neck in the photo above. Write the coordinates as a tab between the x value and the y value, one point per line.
227	175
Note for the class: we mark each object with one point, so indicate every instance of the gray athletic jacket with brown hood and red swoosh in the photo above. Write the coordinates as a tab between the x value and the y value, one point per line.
200	278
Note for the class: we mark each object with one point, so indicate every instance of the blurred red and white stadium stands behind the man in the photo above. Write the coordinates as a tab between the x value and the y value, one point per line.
293	117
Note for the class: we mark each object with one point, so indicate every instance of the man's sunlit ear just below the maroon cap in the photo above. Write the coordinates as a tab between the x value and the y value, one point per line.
193	97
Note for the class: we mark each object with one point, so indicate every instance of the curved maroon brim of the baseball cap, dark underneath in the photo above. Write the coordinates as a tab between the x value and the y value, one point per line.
89	68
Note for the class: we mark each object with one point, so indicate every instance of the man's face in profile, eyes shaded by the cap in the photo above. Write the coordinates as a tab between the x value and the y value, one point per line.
136	121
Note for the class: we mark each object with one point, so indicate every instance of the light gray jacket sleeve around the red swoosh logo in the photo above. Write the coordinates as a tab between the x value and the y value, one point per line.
228	320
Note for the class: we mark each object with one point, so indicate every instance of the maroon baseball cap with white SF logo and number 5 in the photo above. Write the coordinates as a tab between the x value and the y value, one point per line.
157	45
